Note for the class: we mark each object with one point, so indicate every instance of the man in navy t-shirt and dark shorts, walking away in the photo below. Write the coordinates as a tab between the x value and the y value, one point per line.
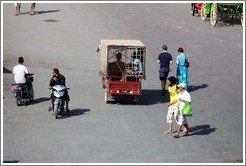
164	59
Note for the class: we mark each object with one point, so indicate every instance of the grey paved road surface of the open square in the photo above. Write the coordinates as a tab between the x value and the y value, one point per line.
67	36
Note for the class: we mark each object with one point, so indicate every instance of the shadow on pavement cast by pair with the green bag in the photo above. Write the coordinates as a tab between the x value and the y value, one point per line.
202	130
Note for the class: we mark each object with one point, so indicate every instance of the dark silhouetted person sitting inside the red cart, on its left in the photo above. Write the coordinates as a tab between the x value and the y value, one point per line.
116	69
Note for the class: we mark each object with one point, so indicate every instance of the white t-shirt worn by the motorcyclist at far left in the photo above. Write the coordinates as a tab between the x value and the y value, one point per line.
19	72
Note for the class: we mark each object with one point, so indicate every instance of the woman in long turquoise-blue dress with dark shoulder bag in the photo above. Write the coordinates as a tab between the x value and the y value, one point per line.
182	71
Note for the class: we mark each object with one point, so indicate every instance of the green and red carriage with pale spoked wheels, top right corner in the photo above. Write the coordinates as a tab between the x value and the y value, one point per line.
218	11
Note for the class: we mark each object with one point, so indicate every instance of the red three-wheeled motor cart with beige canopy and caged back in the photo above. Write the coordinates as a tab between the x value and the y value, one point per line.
122	68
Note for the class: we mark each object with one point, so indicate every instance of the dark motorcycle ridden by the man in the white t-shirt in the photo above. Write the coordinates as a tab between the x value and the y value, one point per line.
24	93
